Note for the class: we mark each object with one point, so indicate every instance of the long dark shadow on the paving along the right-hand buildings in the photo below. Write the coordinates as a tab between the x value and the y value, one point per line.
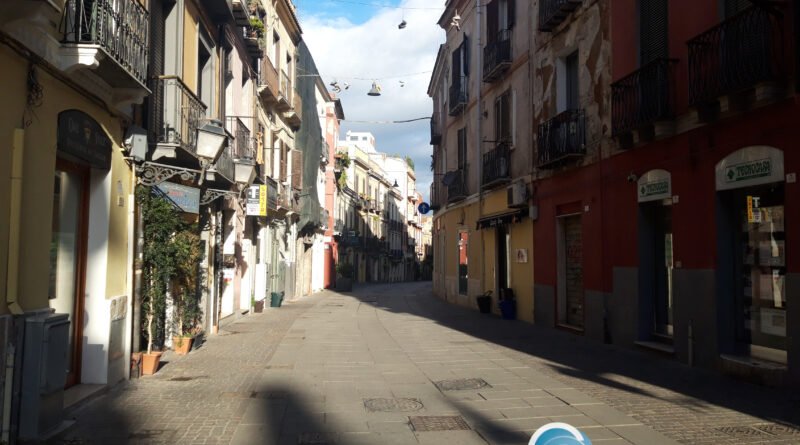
577	357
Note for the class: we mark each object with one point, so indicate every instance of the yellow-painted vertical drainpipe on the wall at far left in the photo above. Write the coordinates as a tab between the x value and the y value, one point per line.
15	216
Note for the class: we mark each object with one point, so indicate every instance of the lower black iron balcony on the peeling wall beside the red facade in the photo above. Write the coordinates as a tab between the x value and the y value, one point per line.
562	138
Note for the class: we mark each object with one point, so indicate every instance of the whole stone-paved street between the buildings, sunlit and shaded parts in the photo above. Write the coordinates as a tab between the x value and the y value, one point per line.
392	364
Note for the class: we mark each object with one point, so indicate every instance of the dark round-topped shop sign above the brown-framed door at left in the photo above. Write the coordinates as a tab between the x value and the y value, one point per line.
81	136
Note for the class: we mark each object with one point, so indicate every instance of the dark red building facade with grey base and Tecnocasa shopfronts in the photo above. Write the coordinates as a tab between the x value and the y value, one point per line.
667	213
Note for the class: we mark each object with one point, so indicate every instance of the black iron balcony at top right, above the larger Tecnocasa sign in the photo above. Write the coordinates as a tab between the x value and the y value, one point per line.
739	53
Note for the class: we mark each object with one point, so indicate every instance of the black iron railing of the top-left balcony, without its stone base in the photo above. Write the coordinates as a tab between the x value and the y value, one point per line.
119	27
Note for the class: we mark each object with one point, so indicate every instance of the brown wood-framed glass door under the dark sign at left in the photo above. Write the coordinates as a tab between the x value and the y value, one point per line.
68	255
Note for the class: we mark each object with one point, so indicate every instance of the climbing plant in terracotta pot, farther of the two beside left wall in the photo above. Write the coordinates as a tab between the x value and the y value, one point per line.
188	250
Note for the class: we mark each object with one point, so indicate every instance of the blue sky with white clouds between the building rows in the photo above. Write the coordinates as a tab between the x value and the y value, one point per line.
358	41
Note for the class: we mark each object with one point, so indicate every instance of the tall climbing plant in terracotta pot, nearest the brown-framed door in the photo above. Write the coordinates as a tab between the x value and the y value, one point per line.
160	222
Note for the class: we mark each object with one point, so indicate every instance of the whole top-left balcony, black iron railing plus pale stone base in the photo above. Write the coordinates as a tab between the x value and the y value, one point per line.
114	35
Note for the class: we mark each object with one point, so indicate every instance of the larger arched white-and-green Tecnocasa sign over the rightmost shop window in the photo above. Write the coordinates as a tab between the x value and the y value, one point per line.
750	166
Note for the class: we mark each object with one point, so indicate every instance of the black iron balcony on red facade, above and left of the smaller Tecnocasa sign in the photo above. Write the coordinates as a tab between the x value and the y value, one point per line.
643	97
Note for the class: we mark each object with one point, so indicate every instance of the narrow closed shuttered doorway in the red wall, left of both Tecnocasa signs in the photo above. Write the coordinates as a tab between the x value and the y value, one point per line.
570	271
